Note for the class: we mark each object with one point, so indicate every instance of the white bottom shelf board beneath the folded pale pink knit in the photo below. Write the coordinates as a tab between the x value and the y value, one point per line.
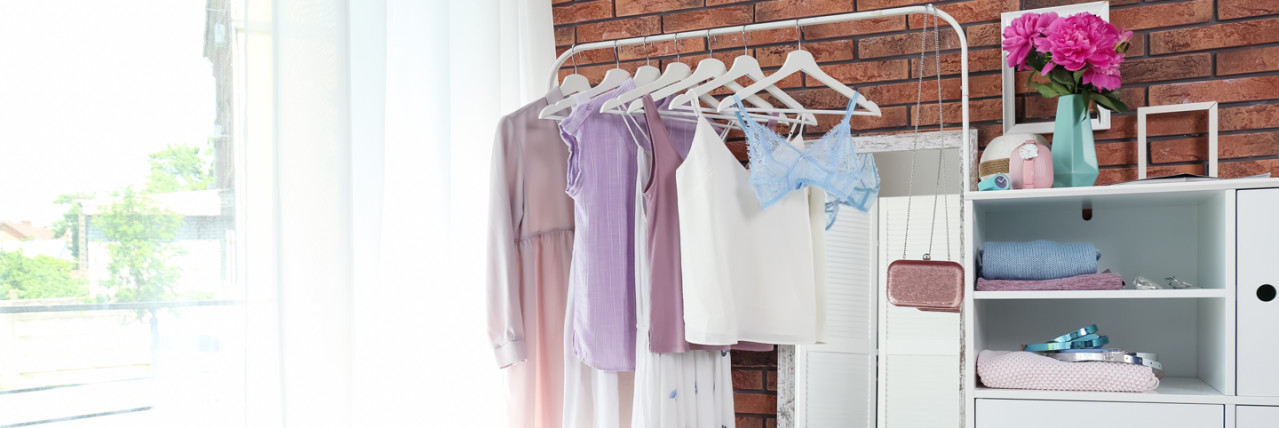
1171	390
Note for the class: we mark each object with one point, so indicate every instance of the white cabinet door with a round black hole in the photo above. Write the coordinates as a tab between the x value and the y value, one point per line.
1258	306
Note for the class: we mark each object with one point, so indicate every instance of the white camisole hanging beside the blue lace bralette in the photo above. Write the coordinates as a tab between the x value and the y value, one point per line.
750	274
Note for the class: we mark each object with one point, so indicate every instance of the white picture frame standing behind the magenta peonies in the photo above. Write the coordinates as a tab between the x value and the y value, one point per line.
1010	77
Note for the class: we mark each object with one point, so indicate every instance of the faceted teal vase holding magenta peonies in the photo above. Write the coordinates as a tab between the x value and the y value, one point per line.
1075	159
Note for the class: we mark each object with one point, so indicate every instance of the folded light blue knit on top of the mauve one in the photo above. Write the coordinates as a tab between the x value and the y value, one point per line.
1040	260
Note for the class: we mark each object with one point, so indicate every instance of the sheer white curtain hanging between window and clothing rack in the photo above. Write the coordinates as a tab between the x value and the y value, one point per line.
368	144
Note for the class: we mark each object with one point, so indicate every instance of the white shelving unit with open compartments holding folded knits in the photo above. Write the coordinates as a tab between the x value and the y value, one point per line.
1190	231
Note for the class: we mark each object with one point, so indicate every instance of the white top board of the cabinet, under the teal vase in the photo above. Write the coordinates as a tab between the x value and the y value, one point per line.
1125	192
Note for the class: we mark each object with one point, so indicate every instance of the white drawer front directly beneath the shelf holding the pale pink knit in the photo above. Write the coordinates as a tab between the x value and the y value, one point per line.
1075	415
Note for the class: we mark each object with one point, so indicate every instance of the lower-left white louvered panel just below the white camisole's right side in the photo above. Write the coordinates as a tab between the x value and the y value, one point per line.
836	398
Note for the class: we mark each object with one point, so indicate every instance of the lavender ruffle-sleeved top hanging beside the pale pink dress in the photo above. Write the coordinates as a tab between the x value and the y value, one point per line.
602	181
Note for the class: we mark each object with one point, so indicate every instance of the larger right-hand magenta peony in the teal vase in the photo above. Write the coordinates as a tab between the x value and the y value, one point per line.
1079	42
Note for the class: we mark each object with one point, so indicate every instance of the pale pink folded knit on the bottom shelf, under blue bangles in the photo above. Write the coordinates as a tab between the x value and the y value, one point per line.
1030	371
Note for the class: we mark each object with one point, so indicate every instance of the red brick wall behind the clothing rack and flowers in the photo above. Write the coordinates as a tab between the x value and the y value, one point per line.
1184	52
